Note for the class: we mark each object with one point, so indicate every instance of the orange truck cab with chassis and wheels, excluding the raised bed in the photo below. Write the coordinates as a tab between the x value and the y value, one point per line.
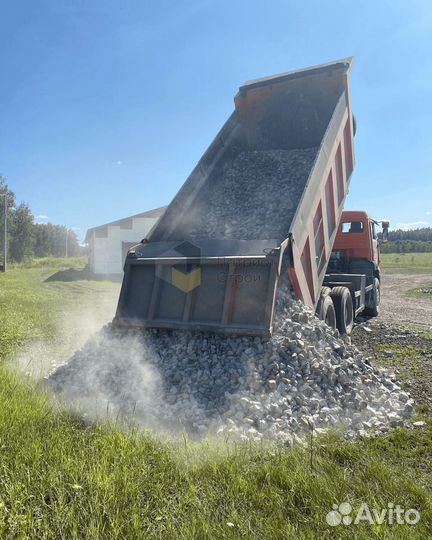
352	280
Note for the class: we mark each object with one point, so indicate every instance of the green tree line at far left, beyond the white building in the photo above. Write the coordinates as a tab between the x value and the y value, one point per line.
27	239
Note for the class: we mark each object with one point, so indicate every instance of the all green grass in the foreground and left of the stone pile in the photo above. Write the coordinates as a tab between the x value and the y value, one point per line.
62	479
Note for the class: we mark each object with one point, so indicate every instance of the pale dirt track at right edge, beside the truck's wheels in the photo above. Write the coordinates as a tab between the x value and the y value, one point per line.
397	307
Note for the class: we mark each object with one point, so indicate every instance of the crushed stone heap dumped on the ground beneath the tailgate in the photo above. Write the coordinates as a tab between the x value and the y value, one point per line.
305	377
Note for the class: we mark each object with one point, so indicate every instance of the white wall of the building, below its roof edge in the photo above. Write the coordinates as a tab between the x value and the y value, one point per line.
106	253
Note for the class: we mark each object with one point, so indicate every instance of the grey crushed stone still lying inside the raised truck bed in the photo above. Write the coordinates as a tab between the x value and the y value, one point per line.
255	196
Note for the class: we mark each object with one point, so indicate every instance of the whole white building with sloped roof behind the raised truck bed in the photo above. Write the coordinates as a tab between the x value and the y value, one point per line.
109	243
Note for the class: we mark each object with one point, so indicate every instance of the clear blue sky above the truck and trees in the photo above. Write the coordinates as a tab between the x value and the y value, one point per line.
106	106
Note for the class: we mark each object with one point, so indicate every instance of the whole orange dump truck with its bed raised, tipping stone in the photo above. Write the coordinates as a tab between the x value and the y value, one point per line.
243	221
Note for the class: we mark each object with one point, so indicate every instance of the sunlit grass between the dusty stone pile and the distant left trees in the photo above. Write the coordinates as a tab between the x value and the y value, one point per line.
37	305
